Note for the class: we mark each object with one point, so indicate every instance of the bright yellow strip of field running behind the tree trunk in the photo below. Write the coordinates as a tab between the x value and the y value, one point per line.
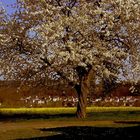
62	110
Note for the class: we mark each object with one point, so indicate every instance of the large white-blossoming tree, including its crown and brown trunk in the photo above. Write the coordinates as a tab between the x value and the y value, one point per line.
73	40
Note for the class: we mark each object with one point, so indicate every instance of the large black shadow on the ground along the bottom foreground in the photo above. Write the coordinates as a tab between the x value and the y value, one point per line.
89	133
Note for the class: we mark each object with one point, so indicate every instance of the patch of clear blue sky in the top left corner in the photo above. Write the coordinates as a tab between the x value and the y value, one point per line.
8	9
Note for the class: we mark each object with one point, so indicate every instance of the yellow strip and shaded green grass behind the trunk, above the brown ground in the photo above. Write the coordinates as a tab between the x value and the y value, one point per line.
93	113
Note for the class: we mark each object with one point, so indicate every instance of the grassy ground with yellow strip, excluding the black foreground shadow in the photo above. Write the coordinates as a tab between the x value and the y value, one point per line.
101	117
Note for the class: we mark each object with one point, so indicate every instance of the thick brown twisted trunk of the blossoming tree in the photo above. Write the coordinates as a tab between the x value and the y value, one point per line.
82	91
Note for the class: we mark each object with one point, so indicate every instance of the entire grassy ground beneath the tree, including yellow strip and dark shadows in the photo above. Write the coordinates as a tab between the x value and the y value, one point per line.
61	123
